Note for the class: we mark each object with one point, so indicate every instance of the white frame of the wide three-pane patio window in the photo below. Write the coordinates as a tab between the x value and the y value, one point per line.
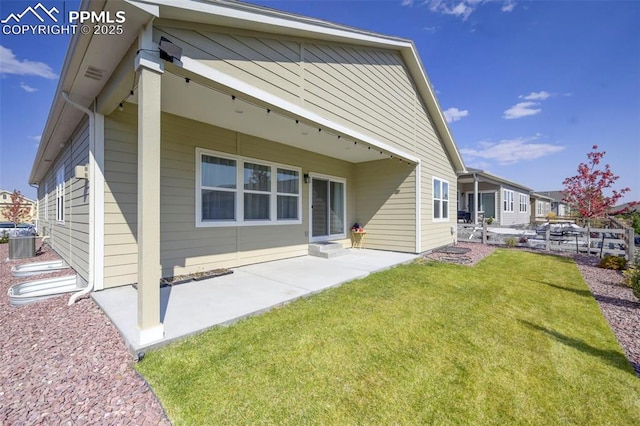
240	191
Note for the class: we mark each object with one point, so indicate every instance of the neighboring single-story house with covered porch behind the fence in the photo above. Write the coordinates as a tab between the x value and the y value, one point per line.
507	202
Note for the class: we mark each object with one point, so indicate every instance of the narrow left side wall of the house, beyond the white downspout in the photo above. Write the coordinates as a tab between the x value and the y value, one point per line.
71	238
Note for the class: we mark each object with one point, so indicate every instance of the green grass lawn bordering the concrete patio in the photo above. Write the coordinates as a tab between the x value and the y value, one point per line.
517	339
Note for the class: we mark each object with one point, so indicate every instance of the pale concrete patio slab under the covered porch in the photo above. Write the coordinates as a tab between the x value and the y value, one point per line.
193	307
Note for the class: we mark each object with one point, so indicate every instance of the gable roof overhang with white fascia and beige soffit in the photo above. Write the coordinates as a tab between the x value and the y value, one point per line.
83	49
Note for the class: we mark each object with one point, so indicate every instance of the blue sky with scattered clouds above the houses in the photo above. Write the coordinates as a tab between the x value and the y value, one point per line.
527	87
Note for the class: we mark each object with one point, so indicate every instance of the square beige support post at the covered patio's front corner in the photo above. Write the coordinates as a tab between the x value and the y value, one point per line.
150	68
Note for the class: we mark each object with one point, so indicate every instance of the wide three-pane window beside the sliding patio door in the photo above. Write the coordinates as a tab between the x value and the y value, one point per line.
235	191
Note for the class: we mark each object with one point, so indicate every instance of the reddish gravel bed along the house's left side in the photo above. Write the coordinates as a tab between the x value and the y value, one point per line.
65	365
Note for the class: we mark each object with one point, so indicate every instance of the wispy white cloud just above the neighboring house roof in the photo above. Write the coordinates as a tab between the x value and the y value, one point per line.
511	151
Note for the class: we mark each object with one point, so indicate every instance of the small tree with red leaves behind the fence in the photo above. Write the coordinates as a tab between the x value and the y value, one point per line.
584	192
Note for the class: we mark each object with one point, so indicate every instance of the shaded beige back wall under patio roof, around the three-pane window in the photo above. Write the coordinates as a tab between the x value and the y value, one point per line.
186	248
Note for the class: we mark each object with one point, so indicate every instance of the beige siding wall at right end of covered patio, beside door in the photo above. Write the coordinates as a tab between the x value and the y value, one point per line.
386	204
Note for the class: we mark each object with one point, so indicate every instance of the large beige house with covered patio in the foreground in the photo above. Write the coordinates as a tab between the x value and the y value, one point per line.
254	133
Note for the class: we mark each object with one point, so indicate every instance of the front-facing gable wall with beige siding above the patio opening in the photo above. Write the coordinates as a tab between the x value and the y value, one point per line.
366	89
